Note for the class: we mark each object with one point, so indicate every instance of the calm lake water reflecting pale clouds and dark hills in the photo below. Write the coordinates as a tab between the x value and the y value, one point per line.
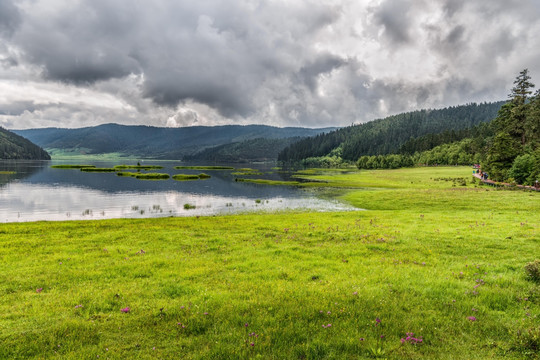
38	192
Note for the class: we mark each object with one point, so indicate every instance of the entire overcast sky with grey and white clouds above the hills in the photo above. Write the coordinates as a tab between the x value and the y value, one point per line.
311	63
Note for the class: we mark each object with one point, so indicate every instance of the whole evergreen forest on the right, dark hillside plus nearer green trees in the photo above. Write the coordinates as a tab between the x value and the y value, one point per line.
504	137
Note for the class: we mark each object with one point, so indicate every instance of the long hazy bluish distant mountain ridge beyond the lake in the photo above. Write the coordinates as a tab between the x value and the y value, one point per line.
156	142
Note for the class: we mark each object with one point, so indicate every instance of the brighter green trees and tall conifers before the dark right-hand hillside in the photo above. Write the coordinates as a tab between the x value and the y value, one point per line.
508	148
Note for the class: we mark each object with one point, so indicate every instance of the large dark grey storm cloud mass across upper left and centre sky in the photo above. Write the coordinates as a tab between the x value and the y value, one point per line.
209	52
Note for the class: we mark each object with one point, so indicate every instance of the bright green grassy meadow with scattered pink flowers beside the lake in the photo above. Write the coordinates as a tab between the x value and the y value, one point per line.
433	268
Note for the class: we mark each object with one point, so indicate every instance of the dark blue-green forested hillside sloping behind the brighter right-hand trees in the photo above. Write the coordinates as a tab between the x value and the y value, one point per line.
389	135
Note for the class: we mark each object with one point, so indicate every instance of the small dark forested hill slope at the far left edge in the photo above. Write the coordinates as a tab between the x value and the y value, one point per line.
13	146
